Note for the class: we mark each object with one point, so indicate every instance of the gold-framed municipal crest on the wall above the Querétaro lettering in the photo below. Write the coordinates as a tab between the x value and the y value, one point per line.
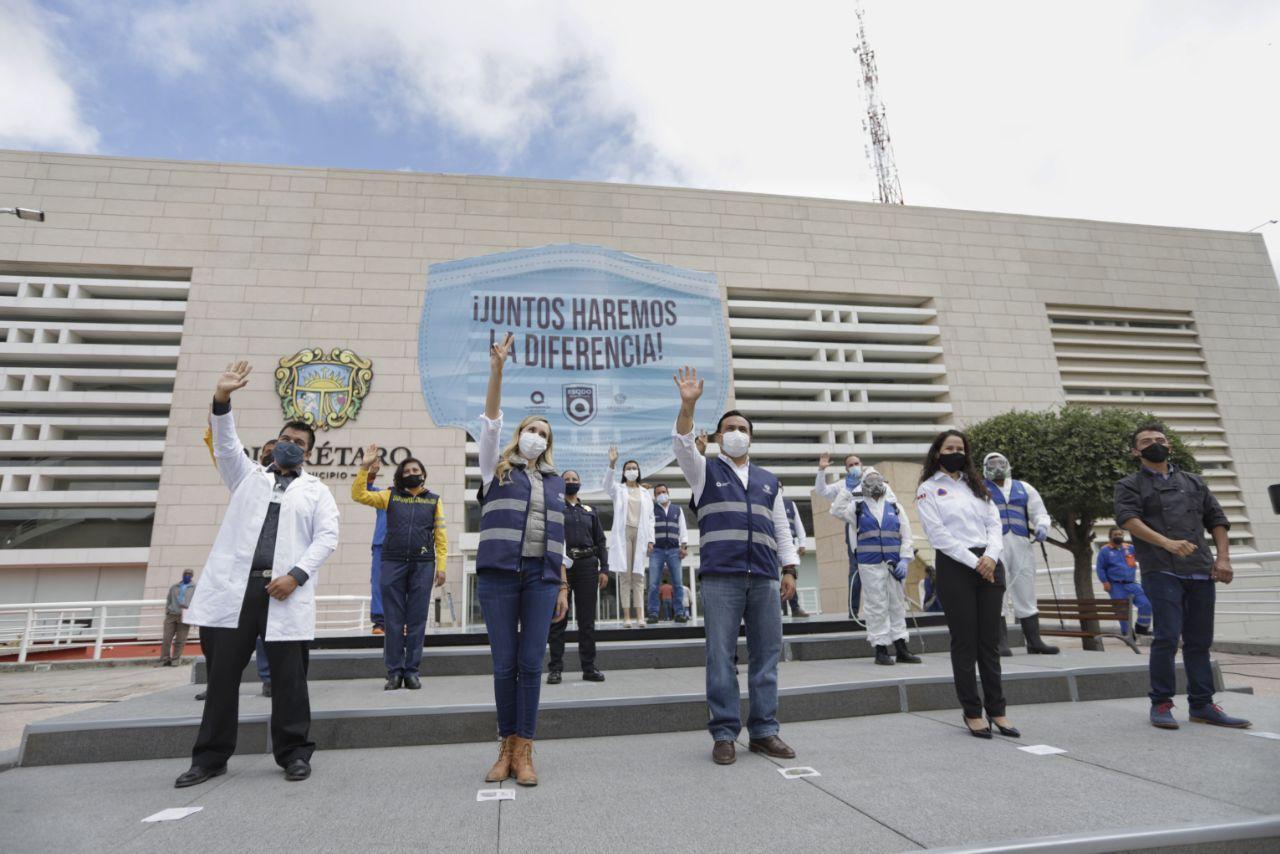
323	390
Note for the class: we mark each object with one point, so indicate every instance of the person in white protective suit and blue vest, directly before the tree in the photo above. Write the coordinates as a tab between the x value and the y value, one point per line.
1023	519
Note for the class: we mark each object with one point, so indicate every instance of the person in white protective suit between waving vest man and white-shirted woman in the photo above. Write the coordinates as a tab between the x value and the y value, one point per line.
884	552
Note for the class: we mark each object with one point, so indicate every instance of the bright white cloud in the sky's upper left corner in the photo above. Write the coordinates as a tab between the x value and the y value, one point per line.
39	108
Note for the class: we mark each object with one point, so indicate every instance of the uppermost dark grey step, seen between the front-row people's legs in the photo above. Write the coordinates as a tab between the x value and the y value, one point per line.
610	656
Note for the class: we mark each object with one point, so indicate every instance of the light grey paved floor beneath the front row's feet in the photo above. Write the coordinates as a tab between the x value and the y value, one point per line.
889	783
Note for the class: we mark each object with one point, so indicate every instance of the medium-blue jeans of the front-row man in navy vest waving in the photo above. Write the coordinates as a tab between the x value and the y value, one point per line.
728	602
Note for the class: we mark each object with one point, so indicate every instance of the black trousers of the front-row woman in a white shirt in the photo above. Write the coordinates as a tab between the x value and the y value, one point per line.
972	609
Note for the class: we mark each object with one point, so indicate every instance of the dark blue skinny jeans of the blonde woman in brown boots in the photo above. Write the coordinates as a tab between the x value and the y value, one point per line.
518	614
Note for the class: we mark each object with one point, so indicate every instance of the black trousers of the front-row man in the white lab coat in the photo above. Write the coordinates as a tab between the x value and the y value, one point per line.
291	705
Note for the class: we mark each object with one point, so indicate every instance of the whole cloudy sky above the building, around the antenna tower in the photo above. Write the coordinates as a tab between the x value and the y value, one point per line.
1158	112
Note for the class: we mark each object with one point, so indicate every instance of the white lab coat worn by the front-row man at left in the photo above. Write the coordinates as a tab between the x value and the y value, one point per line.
307	537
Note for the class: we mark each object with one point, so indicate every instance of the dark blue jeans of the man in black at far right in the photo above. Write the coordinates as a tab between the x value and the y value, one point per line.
1183	610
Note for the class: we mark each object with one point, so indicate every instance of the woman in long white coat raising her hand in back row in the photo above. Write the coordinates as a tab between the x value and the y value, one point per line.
630	536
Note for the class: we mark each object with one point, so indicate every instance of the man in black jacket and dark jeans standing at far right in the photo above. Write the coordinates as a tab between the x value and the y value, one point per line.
1168	513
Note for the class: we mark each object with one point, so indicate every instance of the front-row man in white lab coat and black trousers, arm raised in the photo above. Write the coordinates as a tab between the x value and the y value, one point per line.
260	578
